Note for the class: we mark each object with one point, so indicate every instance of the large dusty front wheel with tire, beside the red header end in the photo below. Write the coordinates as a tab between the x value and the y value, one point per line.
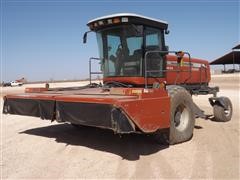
182	118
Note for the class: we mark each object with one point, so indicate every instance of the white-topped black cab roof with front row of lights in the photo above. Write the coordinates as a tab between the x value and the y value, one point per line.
125	18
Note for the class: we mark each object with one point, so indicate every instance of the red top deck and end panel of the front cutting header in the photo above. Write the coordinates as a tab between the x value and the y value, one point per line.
148	110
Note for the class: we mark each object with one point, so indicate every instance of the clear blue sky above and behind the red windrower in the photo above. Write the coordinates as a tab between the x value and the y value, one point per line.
42	40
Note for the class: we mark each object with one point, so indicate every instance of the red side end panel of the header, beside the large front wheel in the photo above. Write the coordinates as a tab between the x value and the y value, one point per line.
150	112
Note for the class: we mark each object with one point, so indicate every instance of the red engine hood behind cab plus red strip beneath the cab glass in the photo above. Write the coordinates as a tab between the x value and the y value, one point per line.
200	73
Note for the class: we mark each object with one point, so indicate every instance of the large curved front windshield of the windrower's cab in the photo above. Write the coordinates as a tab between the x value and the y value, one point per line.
120	49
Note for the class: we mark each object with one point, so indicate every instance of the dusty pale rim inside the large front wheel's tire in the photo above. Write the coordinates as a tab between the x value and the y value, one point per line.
181	117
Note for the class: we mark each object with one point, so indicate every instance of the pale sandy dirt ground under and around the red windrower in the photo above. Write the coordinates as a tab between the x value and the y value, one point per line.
33	148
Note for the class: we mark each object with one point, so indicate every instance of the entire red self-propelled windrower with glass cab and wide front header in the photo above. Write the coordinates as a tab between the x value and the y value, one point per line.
146	88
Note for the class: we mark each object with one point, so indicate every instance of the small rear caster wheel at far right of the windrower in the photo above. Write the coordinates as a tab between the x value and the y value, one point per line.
222	114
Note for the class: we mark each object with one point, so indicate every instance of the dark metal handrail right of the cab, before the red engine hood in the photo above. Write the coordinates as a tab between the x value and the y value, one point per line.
163	52
